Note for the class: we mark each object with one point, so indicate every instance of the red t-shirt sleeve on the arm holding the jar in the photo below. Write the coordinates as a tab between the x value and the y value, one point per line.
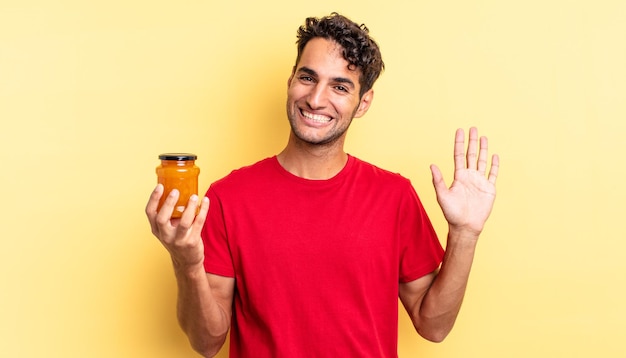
217	254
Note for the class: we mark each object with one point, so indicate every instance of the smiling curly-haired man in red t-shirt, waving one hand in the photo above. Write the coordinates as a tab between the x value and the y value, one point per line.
306	253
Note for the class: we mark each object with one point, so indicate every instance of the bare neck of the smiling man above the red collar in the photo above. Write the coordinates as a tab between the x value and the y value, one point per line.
313	162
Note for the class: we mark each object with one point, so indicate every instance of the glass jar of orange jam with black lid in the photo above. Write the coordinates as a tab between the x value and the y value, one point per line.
178	171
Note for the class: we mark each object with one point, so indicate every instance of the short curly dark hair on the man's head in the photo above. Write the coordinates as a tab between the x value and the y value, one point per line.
359	49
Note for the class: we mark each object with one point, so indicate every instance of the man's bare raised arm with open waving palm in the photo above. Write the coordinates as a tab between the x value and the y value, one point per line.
433	301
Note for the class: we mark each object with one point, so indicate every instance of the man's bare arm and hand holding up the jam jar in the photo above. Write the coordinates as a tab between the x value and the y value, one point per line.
204	301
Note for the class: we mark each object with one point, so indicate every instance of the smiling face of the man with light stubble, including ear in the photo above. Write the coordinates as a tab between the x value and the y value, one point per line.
323	94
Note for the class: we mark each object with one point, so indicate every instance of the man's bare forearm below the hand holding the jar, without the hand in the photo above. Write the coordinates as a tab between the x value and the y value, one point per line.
200	315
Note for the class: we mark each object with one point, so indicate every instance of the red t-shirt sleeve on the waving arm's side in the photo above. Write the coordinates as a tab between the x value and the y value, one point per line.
420	250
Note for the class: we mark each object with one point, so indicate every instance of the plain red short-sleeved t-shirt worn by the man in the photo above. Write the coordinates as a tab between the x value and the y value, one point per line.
317	263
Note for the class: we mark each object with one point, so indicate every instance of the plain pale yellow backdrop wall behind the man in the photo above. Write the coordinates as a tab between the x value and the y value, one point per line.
92	91
